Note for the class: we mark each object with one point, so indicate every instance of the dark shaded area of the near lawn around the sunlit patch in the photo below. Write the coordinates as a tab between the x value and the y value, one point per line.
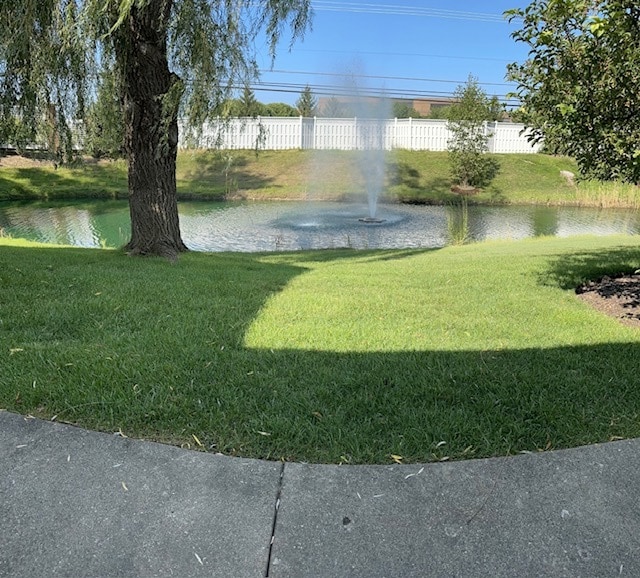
158	350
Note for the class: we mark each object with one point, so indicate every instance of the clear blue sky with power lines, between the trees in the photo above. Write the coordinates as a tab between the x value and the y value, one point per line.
403	48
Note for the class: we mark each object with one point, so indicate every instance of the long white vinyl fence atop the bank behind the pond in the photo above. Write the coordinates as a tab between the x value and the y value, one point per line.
279	133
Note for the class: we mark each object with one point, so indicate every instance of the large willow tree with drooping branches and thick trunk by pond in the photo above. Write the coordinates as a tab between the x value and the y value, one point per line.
171	57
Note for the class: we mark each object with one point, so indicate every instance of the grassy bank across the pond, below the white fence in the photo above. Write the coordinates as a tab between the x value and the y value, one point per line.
412	176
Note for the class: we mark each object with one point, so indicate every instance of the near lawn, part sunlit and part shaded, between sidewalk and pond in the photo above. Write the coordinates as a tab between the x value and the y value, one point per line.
326	356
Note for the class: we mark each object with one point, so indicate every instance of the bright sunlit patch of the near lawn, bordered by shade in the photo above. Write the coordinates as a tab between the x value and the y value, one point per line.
457	298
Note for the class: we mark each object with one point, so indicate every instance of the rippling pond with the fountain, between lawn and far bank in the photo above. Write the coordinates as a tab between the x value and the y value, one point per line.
271	226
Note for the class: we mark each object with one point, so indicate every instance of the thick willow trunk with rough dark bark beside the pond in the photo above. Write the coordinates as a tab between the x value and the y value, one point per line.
151	97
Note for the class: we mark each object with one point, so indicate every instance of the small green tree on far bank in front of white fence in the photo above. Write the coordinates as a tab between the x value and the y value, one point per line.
467	118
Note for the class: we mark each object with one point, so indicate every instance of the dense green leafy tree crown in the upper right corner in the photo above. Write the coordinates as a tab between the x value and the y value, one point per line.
580	86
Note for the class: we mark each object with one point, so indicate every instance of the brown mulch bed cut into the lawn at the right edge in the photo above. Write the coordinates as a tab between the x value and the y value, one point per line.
616	296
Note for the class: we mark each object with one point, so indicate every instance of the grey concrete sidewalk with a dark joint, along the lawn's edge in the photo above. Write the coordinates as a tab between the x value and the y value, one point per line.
84	504
